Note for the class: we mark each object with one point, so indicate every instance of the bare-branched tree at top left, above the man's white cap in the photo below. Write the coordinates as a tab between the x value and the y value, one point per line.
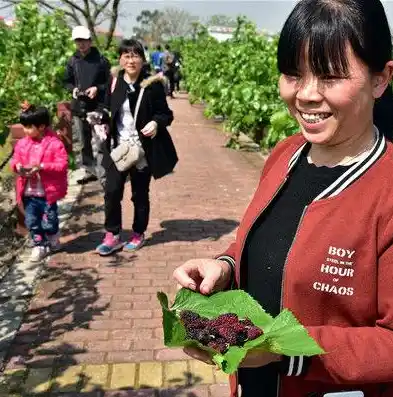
91	13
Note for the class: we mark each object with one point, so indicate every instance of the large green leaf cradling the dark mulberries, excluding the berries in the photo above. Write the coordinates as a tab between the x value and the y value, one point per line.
282	334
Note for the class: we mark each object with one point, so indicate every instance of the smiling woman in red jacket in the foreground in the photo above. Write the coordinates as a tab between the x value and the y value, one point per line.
317	237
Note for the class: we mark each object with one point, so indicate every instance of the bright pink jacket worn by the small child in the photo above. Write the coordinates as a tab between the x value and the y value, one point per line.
52	156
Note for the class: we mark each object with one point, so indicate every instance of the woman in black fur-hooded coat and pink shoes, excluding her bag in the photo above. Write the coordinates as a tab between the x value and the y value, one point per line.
149	132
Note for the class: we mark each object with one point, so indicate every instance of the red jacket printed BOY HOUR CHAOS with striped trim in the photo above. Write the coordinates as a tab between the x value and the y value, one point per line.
338	277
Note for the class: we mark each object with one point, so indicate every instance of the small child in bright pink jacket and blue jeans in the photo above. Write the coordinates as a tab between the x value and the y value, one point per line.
41	162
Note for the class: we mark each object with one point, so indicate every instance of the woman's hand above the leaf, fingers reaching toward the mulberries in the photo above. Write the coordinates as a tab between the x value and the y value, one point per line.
204	275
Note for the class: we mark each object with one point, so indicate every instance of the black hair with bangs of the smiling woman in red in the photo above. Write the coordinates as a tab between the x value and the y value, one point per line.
321	29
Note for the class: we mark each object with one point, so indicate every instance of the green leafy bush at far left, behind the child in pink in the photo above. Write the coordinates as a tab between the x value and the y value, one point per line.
33	55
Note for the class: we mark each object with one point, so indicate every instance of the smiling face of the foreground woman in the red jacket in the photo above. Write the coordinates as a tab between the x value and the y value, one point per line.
334	109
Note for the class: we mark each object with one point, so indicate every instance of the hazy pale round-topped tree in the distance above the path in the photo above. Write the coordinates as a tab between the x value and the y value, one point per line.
177	22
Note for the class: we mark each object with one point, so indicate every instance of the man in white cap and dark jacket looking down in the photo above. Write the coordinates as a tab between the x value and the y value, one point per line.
86	77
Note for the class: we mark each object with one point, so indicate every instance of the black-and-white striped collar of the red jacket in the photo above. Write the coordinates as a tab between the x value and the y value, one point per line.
353	173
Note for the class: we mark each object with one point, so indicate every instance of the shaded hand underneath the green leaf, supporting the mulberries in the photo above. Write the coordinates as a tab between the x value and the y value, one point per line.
254	358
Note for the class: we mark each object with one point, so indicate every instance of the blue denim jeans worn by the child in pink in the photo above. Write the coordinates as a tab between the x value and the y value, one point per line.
41	218
